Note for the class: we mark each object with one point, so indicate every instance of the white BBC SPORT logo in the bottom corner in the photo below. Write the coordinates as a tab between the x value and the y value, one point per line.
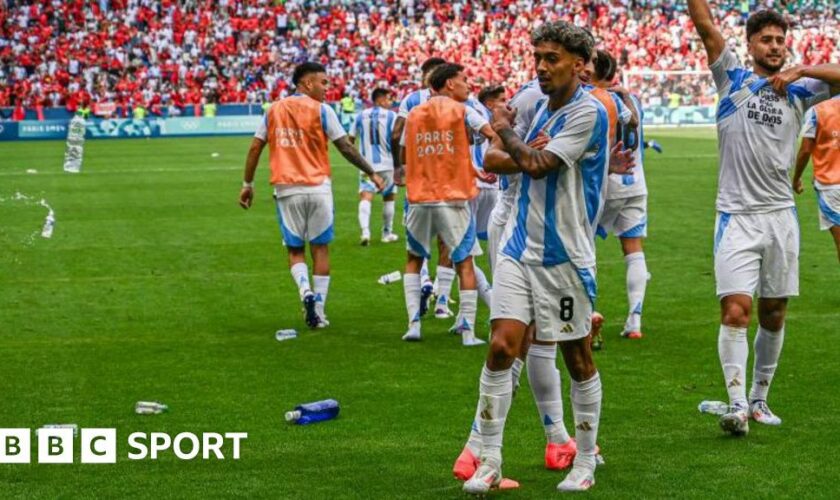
99	446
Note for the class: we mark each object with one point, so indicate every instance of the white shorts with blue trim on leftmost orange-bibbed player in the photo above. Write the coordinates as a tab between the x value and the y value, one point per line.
305	217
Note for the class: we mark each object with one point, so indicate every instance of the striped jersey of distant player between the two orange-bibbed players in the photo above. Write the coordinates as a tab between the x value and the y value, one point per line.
372	130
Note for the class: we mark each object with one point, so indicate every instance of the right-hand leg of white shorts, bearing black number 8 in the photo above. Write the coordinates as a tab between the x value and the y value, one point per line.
562	302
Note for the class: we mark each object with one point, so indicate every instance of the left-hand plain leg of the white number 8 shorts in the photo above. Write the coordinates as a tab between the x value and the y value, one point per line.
512	297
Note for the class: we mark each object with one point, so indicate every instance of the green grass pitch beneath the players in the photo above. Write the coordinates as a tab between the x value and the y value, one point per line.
156	285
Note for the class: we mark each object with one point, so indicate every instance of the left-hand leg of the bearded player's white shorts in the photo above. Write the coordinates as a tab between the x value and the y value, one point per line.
738	247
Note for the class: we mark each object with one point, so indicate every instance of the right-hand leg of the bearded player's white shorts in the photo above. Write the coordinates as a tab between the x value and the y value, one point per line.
780	262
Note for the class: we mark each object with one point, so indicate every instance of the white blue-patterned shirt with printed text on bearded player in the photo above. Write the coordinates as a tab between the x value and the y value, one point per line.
757	136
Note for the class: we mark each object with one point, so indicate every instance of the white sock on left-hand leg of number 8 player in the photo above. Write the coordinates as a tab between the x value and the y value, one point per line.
493	405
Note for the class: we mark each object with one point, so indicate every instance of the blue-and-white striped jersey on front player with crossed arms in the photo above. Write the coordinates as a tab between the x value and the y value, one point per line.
553	220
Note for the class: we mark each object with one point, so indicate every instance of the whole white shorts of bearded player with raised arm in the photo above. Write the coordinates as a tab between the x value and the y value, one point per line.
757	253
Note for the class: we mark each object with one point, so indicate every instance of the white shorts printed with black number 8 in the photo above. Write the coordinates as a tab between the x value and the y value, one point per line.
557	298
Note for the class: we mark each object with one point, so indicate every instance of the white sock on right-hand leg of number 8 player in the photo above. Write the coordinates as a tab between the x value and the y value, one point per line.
586	403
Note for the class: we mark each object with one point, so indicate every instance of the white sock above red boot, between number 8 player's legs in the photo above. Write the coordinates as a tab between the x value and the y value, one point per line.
545	384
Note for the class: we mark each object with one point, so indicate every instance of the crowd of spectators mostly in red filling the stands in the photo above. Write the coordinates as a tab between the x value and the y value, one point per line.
166	54
